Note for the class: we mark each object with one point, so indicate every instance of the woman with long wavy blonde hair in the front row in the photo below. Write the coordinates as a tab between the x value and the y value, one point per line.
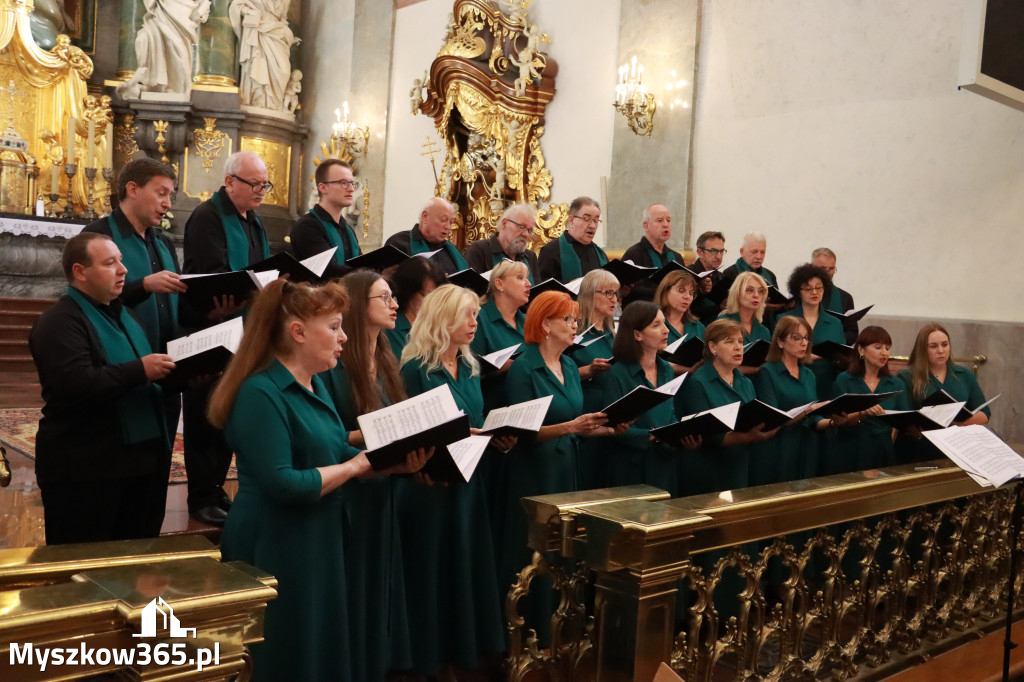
451	580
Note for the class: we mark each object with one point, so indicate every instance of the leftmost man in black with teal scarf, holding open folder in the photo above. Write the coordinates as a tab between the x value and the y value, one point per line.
103	451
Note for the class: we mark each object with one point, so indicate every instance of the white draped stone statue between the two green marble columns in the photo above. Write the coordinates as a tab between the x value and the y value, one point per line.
164	48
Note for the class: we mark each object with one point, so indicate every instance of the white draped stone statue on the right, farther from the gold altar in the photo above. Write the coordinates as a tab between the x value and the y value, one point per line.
265	44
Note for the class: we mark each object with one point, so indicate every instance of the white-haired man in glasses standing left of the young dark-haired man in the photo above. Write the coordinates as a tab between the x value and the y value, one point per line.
223	235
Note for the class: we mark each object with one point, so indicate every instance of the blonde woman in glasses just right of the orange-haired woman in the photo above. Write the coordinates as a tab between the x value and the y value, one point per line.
599	299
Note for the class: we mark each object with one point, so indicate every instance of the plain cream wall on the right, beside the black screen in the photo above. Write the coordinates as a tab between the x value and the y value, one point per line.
841	125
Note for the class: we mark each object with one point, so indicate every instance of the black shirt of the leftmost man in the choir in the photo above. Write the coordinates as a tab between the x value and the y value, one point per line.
79	436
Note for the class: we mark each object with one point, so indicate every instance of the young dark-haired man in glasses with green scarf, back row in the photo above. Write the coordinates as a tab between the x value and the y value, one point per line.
324	227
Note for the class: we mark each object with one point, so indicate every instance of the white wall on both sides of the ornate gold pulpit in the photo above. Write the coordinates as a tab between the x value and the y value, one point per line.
579	122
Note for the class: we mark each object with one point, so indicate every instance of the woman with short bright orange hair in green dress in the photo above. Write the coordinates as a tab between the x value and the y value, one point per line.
545	464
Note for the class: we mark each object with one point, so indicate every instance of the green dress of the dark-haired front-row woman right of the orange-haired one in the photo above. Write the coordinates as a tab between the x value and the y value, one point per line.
633	457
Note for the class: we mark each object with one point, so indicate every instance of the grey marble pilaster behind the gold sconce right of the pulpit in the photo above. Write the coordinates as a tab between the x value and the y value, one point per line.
663	35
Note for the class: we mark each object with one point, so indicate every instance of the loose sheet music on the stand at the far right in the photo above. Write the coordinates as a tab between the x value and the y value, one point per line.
977	450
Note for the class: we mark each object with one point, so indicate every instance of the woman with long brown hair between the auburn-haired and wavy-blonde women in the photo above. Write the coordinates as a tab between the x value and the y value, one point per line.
367	379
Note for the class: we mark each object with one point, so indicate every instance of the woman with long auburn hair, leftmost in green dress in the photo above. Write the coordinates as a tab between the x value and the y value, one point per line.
293	460
